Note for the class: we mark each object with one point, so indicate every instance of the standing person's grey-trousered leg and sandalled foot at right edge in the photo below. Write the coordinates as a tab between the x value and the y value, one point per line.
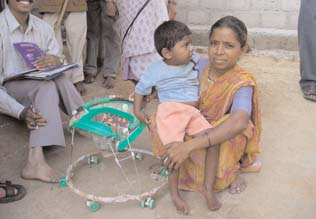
307	46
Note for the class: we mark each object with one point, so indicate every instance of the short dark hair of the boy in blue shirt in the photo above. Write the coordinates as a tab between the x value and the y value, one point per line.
169	33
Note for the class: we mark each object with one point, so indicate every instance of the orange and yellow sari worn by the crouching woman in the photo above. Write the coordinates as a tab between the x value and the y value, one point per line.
215	102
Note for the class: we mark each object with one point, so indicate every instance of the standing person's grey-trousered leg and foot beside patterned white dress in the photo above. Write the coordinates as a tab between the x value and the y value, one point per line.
112	53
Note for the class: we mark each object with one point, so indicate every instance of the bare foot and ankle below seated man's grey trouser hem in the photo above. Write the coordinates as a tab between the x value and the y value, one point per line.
37	168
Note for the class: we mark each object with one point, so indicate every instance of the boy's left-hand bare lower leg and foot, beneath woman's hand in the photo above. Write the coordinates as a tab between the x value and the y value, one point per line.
180	204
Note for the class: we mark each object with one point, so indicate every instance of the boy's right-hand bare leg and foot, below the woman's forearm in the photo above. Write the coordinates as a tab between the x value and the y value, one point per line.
211	163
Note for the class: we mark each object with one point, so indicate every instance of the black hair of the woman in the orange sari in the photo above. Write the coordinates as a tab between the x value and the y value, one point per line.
235	25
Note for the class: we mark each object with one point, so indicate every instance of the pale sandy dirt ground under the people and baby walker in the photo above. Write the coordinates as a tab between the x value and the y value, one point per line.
285	188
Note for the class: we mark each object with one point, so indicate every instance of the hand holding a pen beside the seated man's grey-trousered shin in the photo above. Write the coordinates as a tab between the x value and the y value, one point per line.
33	120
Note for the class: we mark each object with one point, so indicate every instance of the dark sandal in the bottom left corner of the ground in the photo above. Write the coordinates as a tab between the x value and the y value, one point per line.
12	192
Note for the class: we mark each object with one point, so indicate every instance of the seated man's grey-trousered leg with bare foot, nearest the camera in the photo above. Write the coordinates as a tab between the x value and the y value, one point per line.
44	98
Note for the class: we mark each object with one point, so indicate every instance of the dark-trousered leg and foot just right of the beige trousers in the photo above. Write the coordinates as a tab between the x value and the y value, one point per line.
93	37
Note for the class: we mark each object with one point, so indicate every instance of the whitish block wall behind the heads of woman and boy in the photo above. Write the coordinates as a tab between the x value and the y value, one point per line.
272	24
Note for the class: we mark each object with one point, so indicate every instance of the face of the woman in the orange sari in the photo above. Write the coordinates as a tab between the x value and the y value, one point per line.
224	49
